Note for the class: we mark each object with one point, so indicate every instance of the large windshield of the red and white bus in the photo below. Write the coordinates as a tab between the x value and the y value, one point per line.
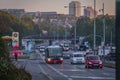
55	52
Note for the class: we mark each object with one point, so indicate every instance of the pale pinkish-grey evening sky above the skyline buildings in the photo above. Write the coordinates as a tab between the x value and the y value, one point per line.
56	5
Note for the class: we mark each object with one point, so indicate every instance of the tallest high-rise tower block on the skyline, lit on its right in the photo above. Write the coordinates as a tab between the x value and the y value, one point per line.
75	8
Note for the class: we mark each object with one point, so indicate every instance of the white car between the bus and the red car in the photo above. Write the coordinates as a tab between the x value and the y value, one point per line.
77	57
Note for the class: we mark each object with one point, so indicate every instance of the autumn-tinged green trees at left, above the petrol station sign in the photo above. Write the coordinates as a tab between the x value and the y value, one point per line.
9	24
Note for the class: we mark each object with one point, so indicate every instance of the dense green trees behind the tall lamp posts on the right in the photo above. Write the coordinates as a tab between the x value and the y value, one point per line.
85	27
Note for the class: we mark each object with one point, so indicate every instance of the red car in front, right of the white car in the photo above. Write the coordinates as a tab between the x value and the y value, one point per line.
92	61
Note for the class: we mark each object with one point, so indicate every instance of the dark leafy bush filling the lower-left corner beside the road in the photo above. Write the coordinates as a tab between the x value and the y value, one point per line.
7	70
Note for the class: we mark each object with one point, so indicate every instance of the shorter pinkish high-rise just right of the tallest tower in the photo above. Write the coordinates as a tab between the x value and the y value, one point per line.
89	12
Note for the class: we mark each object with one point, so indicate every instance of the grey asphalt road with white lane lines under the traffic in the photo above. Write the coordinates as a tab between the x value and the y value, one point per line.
65	71
